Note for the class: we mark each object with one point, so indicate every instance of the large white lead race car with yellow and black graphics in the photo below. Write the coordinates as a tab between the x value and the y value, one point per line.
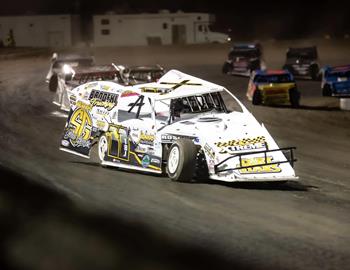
163	128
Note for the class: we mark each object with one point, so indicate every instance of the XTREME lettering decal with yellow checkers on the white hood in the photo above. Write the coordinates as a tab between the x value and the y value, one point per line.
246	144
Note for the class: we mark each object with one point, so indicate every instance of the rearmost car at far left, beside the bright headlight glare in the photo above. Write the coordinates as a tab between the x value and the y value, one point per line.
61	63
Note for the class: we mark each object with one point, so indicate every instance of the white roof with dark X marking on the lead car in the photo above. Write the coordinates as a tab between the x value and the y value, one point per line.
175	84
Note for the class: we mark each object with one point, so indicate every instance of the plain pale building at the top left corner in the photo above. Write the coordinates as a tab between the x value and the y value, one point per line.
41	30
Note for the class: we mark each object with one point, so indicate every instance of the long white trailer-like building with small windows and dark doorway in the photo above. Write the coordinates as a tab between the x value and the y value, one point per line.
157	28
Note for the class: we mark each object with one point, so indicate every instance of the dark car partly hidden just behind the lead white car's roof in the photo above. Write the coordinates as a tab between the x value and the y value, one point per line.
143	74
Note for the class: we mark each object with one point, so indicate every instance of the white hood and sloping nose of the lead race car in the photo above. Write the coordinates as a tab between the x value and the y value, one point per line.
232	137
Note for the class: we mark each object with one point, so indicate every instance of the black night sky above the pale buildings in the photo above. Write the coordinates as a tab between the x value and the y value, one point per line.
278	19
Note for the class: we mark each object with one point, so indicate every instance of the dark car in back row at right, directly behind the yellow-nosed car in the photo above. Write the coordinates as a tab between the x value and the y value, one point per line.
243	59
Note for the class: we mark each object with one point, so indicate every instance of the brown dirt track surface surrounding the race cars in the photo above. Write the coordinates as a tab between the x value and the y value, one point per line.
297	225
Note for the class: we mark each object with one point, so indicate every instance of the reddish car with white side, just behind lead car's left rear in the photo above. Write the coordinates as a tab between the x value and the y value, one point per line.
74	77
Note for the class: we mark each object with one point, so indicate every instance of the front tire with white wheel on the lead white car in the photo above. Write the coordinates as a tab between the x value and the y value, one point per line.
181	163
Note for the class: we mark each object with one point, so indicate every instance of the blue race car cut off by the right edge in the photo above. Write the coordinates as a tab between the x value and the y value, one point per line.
336	81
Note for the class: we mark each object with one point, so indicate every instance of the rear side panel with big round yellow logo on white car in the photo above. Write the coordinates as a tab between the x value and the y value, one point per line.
78	133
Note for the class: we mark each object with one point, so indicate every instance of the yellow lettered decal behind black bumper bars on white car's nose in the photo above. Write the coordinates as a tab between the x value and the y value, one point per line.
265	168
